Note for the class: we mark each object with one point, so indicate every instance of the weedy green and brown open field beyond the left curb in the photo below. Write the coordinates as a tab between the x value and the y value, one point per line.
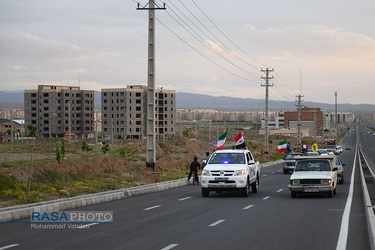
38	170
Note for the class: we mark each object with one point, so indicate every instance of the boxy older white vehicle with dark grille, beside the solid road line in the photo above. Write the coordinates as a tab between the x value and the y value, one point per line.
314	174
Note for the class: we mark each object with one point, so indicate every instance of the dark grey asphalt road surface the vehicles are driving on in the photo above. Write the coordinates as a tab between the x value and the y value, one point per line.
182	219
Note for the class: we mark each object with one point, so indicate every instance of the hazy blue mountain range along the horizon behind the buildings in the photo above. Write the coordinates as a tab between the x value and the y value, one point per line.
15	99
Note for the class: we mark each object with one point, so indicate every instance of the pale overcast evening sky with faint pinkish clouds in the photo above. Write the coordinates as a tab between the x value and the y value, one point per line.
209	47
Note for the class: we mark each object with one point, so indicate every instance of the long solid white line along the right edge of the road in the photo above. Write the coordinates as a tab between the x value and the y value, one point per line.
344	229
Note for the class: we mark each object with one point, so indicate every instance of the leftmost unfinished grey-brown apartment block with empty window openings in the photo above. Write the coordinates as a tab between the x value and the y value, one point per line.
58	110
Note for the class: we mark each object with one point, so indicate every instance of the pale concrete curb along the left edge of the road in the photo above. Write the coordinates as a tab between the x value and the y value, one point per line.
24	211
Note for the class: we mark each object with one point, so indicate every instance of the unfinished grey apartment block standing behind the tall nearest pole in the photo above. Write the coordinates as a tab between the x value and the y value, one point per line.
124	112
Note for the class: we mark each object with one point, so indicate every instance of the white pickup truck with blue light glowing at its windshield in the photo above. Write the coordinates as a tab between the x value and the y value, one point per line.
231	170
